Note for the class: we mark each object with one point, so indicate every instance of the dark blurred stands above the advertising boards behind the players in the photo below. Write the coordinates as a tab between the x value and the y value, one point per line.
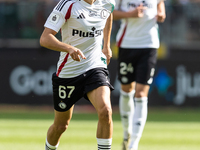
24	19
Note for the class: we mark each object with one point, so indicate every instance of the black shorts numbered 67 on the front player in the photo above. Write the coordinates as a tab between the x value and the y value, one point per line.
67	91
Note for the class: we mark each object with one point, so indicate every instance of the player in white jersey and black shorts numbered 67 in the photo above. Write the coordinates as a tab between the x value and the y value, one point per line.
82	66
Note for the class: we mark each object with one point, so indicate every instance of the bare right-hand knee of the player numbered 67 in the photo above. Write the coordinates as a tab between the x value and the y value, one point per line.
105	114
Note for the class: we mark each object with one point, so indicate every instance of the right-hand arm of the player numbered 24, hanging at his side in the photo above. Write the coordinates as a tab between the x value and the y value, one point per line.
161	15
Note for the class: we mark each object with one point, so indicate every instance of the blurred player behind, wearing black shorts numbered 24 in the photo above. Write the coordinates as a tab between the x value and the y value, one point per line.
138	42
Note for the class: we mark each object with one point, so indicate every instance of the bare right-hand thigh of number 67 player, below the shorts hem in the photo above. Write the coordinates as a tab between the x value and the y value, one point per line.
100	98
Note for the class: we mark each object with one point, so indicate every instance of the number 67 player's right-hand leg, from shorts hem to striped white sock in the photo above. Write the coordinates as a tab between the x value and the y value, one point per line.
100	99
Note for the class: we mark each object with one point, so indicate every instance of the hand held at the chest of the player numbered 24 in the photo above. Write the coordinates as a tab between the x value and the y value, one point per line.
138	12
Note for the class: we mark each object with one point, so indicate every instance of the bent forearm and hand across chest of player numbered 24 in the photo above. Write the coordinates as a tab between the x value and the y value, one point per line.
138	12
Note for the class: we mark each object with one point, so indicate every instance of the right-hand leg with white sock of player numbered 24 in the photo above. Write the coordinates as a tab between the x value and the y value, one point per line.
140	114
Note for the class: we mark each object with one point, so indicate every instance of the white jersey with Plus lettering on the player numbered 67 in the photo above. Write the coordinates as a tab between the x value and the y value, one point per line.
81	26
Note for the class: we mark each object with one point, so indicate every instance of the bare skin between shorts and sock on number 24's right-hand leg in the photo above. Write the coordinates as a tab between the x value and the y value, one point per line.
141	90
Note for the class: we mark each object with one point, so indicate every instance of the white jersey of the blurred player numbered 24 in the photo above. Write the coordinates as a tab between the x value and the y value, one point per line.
138	32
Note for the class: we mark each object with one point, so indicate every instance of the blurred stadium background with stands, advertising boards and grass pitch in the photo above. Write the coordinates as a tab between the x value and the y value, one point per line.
26	109
